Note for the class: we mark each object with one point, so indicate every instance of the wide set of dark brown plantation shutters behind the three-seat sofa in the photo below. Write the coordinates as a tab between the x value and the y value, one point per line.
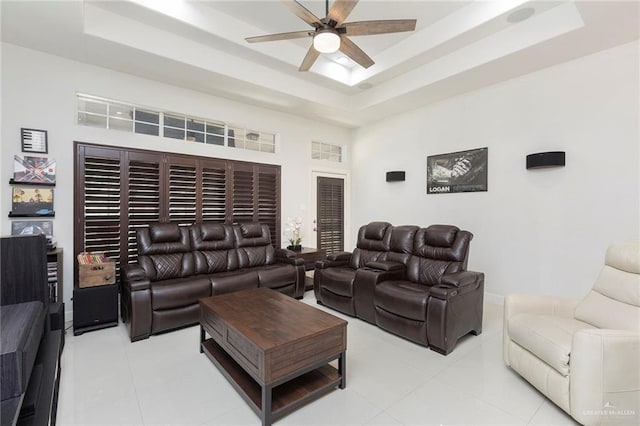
119	191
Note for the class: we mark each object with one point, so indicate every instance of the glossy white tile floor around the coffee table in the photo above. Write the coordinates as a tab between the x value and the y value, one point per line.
108	380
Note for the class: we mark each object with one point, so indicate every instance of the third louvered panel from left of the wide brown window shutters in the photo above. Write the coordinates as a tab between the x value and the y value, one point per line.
182	188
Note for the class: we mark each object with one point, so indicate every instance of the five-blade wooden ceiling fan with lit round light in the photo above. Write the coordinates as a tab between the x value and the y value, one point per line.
330	33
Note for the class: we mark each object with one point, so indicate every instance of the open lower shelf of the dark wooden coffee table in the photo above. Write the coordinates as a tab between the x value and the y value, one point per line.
285	397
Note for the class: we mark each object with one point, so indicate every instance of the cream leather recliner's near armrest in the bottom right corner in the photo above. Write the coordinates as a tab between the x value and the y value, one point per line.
605	376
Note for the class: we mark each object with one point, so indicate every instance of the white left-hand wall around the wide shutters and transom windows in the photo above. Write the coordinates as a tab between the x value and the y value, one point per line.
39	91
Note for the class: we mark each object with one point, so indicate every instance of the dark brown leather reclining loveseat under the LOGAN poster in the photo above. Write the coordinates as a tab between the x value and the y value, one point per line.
407	280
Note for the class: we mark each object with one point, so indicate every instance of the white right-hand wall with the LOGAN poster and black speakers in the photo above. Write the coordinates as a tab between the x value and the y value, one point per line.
536	231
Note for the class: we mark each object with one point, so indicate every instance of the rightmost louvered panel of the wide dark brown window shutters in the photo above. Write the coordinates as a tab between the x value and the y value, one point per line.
268	199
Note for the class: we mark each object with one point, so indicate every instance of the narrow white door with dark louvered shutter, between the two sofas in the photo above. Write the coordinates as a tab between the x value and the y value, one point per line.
330	221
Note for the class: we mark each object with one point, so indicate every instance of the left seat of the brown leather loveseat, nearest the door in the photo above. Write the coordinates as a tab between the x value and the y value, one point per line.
333	278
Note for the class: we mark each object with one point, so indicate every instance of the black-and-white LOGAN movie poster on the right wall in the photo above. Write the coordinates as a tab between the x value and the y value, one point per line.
463	171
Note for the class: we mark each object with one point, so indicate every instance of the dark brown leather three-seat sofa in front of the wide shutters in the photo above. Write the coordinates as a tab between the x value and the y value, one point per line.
179	265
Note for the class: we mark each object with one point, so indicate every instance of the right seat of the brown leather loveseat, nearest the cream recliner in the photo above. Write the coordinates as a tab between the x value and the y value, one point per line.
438	301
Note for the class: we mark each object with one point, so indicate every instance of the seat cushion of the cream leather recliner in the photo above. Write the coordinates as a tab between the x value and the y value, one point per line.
548	337
